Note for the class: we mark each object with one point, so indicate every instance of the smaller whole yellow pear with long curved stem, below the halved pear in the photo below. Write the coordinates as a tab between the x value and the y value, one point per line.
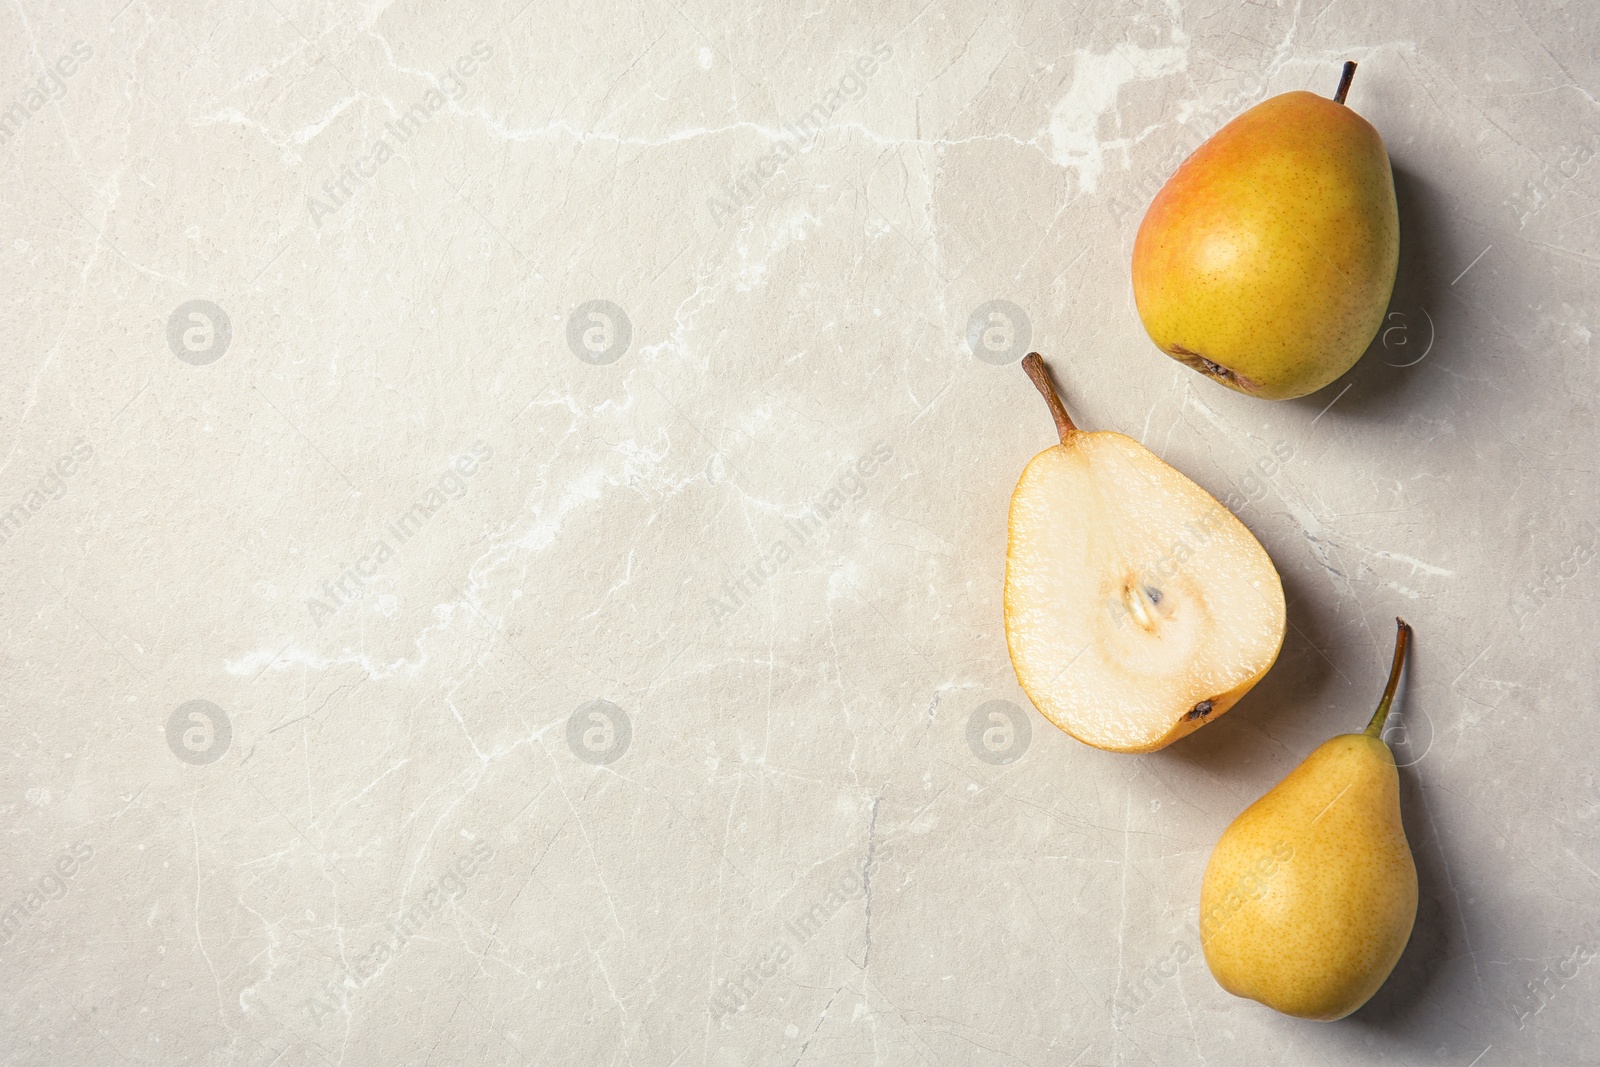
1310	898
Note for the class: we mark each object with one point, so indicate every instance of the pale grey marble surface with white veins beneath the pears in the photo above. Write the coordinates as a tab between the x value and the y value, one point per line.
534	721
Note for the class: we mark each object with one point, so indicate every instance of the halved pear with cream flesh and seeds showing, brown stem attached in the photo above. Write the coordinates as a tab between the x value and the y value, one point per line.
1137	607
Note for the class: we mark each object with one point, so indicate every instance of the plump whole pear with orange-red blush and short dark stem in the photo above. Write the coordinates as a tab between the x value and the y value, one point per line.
1270	258
